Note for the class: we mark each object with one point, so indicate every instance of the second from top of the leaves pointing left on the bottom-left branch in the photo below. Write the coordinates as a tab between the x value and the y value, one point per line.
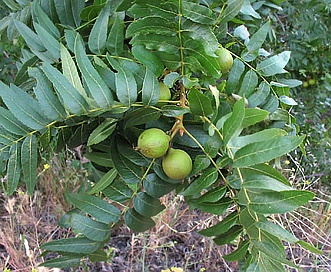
91	229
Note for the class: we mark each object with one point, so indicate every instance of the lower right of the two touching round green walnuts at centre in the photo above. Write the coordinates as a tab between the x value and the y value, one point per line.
177	164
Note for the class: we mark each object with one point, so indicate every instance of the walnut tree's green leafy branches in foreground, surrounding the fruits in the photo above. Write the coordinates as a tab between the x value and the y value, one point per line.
90	76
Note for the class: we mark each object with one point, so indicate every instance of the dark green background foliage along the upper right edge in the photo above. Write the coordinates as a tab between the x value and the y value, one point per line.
305	27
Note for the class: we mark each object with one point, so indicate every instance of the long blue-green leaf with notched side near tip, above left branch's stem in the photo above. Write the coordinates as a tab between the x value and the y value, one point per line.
48	101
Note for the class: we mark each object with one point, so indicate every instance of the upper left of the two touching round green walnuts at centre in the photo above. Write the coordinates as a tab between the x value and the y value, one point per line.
153	143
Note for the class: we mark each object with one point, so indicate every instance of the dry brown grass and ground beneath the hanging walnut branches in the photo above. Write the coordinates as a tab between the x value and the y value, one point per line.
27	222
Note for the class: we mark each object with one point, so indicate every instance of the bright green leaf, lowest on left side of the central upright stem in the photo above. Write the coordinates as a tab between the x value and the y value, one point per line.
148	58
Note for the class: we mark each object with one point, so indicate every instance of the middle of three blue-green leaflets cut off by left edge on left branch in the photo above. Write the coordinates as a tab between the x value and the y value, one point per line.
10	123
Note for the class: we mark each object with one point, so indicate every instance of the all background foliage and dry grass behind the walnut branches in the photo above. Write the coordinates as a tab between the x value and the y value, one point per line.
302	27
